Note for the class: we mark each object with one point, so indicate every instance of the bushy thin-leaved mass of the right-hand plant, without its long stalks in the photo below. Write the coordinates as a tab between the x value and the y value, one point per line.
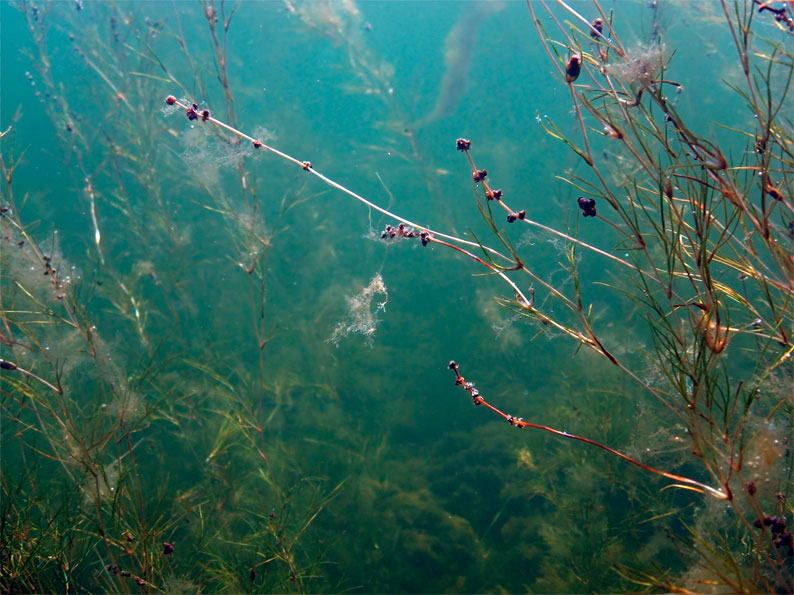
711	252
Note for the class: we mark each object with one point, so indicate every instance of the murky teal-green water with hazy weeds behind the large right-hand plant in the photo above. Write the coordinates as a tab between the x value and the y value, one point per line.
232	398
